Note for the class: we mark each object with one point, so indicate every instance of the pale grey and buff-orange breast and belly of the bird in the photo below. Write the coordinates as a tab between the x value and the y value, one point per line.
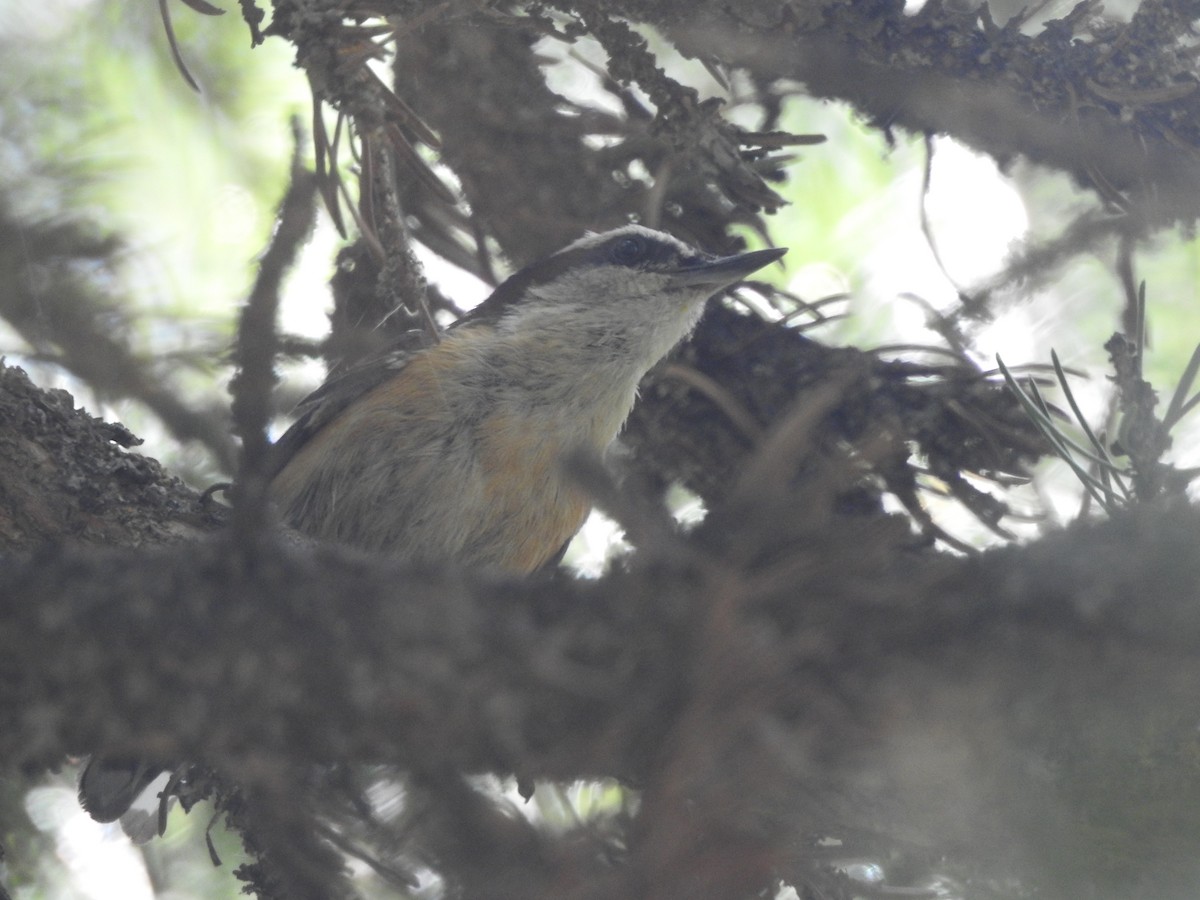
453	460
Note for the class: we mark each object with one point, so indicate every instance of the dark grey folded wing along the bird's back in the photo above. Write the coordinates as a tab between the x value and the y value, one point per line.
339	392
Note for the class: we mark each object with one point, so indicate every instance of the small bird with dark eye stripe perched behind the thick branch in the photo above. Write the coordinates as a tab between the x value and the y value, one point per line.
453	449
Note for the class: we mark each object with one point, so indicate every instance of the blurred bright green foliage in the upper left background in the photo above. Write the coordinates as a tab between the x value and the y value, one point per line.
103	128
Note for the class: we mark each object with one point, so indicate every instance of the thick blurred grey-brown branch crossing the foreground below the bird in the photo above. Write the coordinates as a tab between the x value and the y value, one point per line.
788	674
